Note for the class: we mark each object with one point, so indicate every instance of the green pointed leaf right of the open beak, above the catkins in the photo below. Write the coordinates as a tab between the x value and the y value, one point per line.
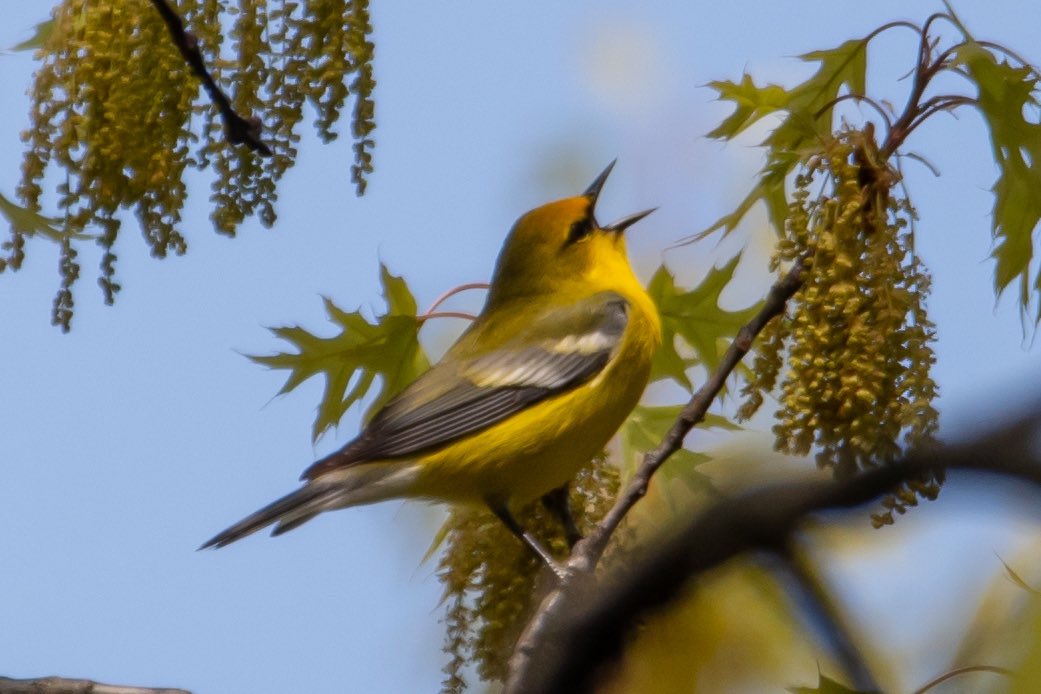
808	117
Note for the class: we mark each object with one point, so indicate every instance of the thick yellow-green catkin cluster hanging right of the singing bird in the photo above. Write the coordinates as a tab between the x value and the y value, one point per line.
850	361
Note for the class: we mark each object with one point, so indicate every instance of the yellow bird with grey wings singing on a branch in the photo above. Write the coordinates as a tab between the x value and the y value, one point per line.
537	387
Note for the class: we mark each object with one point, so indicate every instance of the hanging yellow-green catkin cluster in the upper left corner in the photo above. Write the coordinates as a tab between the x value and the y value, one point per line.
117	117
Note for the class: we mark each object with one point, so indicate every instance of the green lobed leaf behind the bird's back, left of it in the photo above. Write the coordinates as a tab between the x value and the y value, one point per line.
352	362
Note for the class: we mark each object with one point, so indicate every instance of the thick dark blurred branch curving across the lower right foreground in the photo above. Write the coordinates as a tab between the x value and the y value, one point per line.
592	629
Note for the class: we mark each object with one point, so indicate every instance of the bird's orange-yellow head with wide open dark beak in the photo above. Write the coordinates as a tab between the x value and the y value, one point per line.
562	247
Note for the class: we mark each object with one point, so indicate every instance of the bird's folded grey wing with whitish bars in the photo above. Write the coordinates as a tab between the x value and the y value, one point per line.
561	350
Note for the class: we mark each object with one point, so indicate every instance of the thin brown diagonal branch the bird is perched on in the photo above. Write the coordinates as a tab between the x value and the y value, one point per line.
538	636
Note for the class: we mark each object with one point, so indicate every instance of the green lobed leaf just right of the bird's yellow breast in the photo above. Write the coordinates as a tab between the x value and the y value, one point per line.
696	318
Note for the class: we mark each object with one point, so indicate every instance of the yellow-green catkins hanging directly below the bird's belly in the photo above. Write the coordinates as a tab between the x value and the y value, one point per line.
493	582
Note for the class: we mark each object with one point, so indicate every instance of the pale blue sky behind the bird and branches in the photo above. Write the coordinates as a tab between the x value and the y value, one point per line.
138	436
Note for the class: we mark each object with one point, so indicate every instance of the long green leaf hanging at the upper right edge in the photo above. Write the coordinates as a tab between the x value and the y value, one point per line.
1006	95
